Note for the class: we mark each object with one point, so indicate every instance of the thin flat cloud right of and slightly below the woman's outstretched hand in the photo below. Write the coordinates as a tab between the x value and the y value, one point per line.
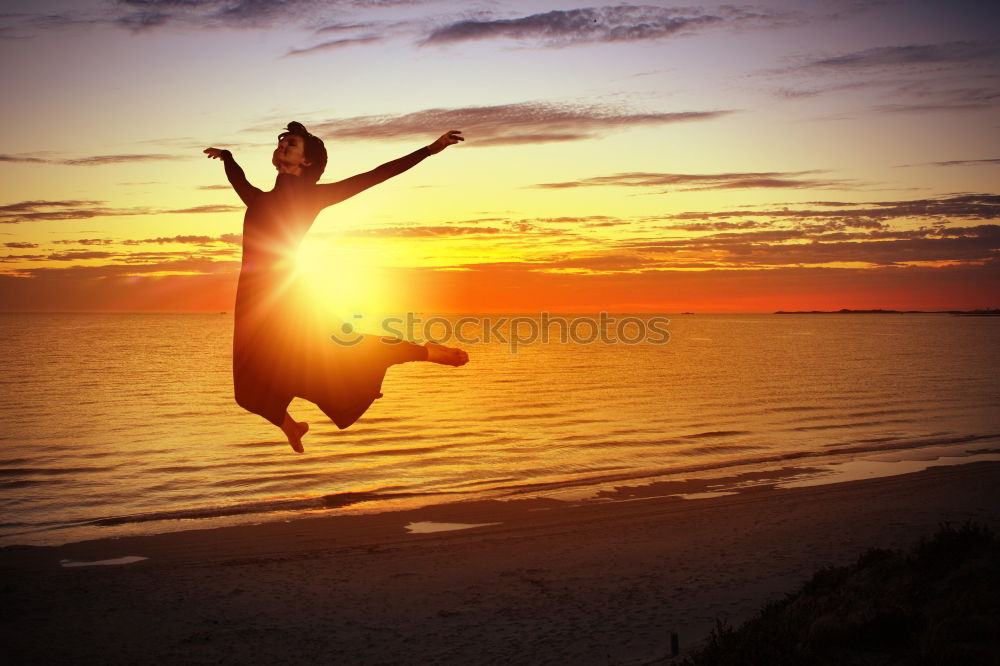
717	181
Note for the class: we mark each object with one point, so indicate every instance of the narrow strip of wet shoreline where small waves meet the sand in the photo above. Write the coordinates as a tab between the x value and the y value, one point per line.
691	482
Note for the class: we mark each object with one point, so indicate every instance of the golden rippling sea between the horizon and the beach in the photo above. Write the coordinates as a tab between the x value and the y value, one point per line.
124	423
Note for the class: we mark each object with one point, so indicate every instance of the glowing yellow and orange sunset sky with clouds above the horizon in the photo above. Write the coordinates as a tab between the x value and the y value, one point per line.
648	157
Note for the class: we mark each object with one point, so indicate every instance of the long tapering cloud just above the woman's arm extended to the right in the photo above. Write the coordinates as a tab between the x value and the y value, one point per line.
526	122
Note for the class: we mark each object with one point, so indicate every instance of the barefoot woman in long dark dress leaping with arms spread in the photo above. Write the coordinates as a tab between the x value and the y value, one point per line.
280	351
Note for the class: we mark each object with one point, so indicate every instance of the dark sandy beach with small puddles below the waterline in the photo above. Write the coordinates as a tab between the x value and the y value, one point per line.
599	582
